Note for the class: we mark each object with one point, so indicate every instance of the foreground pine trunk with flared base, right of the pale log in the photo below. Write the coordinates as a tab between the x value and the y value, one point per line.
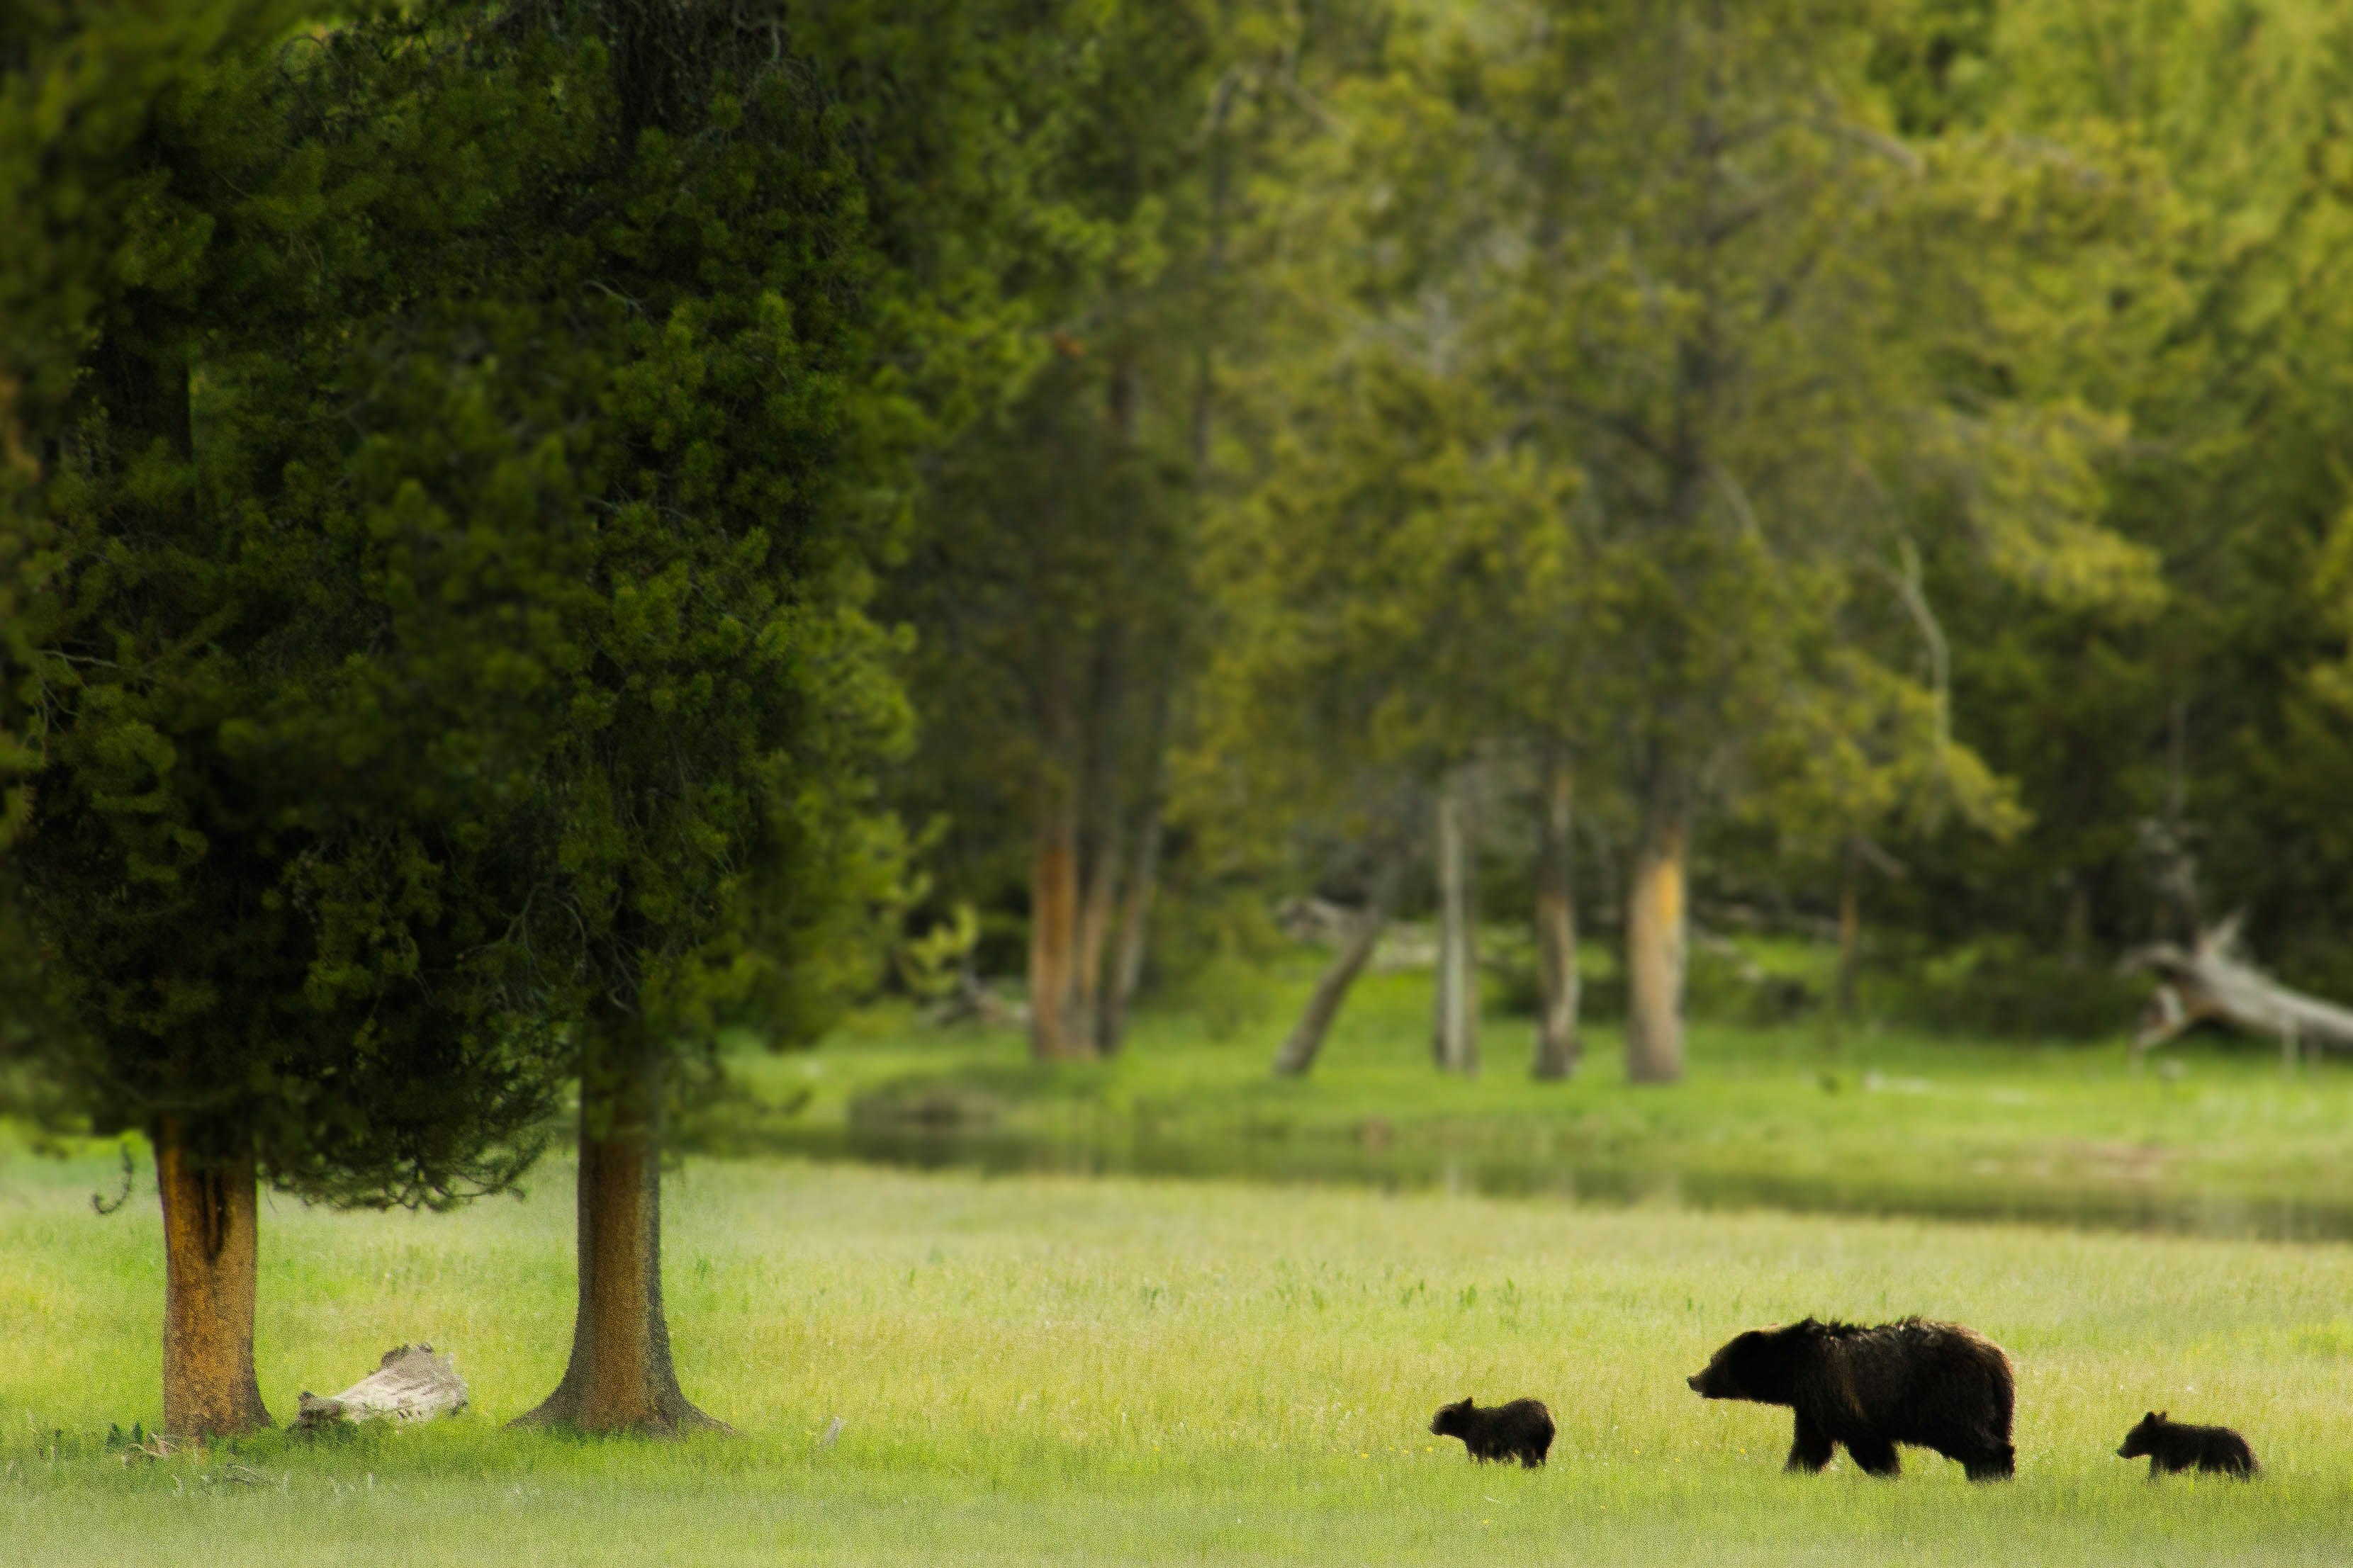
620	1376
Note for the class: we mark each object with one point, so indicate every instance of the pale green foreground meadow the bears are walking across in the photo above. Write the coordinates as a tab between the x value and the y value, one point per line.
1039	1369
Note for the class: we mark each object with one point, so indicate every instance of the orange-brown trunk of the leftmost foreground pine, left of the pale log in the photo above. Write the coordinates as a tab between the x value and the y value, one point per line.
211	1259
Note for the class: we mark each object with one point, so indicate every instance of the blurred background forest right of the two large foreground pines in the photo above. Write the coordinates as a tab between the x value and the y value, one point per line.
1846	467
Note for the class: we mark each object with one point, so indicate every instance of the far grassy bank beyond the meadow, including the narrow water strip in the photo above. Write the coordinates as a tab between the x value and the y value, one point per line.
1799	1115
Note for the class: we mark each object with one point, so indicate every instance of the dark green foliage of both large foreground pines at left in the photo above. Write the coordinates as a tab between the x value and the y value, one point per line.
460	490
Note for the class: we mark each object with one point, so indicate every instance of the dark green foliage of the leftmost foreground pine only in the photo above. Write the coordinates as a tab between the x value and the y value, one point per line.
269	873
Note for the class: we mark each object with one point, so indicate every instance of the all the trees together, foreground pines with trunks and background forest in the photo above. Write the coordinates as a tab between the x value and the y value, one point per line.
542	532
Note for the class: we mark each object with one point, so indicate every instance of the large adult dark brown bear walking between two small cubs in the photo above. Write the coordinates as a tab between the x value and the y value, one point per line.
1935	1386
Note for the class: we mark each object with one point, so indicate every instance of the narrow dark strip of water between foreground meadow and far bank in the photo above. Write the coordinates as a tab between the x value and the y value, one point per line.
1500	1172
